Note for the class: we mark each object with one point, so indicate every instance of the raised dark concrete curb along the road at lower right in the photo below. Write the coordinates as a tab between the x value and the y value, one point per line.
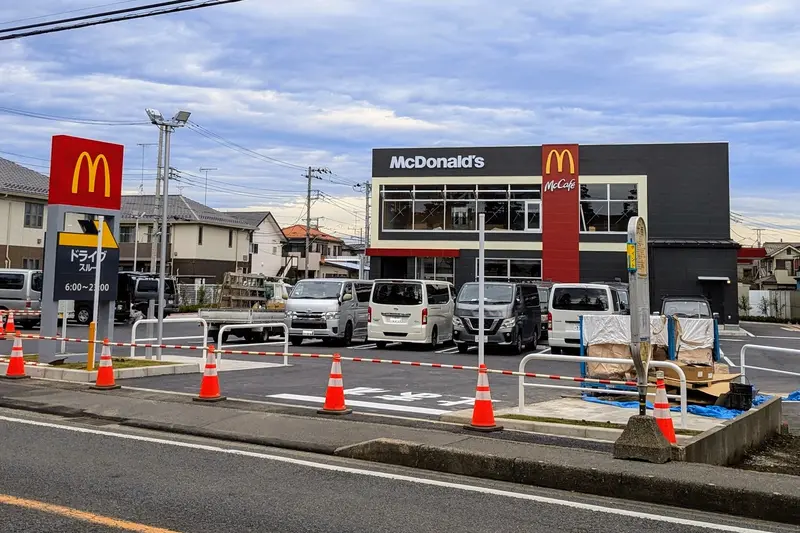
753	503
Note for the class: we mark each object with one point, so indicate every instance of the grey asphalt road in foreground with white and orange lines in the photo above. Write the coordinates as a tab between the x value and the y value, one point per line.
122	479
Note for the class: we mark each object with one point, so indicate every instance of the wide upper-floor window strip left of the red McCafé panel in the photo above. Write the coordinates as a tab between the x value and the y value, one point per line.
455	207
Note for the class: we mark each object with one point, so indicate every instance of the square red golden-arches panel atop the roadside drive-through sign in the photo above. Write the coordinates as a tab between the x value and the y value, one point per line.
85	173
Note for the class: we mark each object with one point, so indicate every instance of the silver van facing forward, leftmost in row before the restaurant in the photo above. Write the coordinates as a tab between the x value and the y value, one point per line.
331	309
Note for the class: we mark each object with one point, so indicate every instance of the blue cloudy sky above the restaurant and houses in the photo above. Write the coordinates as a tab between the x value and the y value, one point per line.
276	86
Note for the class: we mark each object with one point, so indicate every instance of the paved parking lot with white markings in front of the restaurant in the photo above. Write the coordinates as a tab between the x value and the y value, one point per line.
419	391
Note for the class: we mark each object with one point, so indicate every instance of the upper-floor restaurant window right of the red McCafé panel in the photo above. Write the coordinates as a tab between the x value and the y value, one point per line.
607	207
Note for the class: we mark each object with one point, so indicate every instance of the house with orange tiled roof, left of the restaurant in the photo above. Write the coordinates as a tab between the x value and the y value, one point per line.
321	245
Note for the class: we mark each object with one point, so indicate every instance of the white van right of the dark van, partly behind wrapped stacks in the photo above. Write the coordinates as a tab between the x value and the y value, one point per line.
568	301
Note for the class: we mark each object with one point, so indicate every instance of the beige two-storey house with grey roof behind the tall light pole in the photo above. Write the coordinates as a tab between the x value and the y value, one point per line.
203	243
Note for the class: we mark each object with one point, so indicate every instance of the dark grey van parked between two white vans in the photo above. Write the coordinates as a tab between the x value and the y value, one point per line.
512	316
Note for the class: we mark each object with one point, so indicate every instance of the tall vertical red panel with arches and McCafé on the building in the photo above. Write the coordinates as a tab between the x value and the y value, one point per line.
560	216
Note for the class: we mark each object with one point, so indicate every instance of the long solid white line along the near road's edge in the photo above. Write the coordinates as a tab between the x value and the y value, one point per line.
395	477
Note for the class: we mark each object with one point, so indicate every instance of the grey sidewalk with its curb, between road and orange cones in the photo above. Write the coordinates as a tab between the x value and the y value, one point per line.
439	447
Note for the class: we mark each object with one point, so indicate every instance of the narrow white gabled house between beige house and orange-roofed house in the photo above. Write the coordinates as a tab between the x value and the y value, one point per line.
266	248
